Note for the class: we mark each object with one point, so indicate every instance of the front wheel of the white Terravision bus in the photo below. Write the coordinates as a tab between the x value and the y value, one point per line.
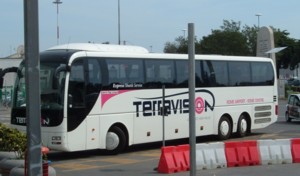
116	140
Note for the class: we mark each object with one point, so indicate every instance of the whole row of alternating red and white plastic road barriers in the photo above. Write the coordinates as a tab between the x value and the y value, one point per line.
230	154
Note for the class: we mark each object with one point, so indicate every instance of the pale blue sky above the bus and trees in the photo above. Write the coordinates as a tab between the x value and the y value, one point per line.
146	23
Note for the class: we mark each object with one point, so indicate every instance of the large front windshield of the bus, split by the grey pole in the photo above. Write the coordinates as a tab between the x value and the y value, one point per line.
51	87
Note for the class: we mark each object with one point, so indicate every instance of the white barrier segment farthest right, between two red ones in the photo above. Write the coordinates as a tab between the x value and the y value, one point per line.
275	151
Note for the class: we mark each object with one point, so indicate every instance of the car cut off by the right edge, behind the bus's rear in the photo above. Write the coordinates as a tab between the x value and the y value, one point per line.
293	107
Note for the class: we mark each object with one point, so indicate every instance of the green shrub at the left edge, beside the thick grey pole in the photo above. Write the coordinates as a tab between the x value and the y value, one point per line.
12	140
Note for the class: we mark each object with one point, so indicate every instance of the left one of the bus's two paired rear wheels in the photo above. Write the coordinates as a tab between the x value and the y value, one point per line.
224	128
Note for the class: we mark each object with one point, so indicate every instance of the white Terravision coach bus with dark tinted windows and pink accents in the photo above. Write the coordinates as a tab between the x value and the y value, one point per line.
97	96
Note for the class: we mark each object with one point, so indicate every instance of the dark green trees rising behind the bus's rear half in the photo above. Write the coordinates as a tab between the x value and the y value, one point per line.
230	39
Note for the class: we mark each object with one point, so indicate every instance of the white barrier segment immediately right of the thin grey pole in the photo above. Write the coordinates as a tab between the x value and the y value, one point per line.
210	156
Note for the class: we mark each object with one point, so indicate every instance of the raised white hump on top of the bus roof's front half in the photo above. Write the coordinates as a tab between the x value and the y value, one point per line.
101	48
